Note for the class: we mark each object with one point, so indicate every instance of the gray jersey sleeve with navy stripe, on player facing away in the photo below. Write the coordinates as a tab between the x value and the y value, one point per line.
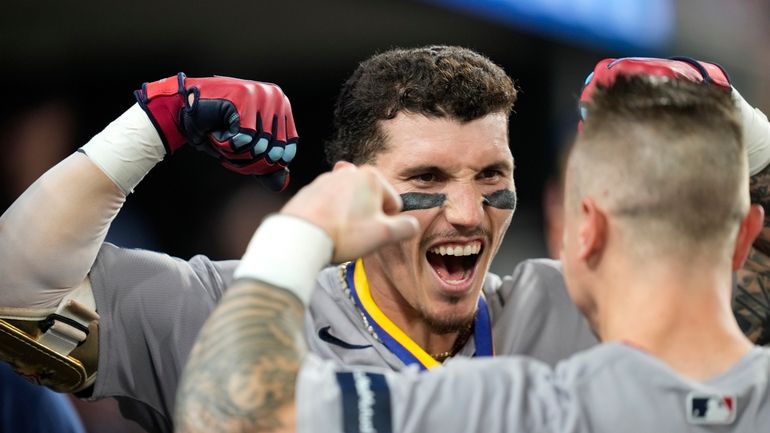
482	395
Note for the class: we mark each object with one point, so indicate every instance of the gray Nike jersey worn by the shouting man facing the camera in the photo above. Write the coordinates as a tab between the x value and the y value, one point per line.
152	306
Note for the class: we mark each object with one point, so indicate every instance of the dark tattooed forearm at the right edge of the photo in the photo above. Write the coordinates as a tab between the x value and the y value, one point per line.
751	303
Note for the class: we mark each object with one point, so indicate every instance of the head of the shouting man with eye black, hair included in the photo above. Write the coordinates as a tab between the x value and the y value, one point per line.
432	120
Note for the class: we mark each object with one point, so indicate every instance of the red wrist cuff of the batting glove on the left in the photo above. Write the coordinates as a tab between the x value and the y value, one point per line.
163	101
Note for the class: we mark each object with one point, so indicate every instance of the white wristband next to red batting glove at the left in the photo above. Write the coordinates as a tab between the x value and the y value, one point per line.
127	149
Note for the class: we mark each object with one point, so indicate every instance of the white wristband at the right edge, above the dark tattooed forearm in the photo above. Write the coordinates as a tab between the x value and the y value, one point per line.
756	134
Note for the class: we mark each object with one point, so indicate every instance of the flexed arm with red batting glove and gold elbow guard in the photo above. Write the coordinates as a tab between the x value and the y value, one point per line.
50	237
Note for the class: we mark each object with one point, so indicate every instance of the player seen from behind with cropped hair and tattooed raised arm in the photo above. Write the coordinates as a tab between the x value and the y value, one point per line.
657	220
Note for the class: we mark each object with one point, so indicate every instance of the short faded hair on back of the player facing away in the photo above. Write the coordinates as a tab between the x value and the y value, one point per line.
665	159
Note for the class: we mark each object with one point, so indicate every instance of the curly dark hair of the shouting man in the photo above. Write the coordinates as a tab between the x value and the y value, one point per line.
435	81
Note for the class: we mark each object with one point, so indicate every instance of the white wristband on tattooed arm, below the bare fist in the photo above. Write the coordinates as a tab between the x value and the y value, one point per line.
287	252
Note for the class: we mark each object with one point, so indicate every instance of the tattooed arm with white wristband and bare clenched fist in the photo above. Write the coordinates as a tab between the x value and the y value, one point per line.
242	370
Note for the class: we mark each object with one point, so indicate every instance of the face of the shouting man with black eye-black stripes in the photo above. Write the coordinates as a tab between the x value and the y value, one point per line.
437	275
